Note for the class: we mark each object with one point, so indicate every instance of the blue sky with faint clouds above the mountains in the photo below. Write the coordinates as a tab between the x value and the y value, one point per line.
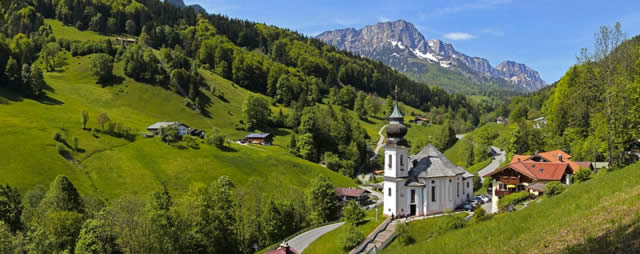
544	34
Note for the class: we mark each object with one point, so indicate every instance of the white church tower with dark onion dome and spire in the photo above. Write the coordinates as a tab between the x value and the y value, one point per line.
396	160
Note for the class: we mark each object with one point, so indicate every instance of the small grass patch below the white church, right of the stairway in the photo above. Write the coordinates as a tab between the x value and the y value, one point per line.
422	230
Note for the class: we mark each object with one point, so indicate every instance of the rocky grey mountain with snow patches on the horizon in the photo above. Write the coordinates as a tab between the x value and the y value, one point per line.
400	45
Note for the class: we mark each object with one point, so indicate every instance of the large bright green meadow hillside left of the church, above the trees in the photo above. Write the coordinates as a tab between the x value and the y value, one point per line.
112	166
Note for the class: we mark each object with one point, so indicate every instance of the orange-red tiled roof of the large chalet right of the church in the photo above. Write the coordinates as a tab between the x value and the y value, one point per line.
538	171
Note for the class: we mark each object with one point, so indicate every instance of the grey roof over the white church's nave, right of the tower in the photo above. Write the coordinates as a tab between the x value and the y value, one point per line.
432	163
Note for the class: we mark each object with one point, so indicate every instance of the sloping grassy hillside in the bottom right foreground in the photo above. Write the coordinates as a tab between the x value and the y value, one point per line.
610	203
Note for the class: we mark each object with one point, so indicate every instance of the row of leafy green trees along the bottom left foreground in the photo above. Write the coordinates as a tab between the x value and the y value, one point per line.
214	218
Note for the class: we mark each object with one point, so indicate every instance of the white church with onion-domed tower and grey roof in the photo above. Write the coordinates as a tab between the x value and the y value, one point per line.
422	184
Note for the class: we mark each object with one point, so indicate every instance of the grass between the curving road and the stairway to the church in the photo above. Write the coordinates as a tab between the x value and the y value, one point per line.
331	242
